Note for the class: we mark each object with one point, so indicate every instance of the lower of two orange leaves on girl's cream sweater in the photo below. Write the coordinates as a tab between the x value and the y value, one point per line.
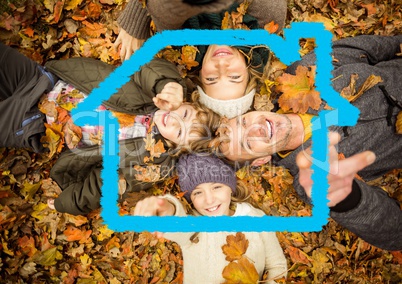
242	271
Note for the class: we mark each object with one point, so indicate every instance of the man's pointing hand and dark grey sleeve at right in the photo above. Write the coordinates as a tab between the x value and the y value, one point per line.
365	210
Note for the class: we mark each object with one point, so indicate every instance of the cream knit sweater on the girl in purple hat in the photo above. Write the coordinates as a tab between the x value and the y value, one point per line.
206	256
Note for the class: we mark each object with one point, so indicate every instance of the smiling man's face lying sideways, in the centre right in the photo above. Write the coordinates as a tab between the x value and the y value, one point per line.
256	134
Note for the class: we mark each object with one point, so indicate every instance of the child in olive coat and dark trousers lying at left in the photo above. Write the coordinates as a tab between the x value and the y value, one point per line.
24	84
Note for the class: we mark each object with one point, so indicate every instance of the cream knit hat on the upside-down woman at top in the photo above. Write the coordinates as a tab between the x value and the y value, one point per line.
228	108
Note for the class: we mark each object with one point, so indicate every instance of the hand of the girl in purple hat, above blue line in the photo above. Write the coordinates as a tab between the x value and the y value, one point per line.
154	206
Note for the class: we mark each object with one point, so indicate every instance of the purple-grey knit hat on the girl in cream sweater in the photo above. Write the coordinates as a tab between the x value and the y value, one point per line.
195	169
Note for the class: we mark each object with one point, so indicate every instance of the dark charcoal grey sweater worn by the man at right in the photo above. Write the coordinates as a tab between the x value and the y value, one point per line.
368	211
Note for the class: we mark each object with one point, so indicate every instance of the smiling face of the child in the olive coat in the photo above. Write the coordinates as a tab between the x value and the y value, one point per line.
175	125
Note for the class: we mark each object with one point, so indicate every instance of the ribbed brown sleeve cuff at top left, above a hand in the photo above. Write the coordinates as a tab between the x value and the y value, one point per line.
135	20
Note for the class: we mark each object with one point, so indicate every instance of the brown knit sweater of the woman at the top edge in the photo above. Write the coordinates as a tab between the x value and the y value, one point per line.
171	15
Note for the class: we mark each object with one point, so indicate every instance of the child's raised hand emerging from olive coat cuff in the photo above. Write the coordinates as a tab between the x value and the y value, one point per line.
170	98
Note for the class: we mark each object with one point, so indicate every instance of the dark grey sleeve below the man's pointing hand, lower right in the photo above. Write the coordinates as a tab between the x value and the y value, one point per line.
376	219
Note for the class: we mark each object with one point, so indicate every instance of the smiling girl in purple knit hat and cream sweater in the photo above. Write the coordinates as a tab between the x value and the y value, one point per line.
212	188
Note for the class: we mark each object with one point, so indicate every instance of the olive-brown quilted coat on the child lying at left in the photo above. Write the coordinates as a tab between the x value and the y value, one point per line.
78	172
